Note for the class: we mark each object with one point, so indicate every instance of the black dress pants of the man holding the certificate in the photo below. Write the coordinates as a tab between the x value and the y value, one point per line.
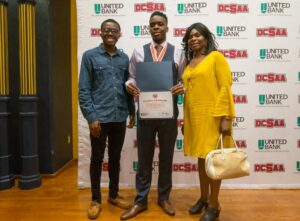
166	131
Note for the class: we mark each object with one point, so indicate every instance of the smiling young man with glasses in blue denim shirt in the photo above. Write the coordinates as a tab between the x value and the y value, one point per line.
105	104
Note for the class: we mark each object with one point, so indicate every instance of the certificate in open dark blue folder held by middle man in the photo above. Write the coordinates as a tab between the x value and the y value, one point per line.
155	80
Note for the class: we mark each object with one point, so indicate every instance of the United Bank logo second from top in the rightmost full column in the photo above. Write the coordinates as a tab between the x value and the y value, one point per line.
273	54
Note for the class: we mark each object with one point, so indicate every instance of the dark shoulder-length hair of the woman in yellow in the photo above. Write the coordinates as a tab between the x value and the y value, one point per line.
211	45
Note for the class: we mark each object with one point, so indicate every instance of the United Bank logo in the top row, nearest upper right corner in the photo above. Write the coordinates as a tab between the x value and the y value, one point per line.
277	8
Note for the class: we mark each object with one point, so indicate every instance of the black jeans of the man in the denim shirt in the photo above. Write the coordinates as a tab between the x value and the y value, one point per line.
112	134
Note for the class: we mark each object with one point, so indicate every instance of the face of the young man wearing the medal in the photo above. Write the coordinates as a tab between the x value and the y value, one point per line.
158	28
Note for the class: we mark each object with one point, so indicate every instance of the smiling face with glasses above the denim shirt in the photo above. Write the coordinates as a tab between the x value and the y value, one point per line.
110	34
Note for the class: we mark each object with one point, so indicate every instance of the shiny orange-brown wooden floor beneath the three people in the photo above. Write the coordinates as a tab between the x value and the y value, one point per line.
59	199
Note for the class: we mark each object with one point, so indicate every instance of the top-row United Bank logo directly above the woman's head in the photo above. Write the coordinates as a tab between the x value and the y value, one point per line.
195	8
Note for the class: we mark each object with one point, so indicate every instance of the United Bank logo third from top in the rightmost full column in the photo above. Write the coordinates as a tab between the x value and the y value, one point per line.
272	99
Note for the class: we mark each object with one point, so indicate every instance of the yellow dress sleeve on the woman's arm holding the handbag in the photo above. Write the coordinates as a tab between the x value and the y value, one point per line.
224	104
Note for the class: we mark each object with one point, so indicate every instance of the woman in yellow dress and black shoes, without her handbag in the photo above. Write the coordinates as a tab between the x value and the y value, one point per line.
208	109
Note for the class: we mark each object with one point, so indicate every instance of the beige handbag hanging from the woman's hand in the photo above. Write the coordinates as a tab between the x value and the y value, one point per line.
226	163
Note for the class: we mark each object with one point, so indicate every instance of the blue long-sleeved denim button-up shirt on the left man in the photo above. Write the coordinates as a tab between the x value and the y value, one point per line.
102	94
